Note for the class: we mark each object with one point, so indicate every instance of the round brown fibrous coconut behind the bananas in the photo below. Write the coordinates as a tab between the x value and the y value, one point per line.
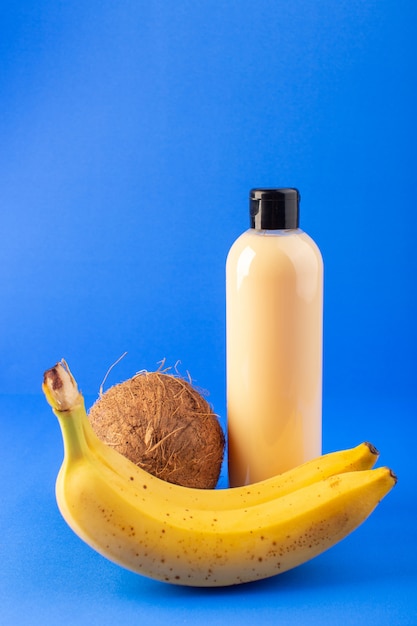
164	425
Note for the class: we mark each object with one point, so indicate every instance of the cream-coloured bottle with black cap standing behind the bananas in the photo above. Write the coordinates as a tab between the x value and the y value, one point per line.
274	313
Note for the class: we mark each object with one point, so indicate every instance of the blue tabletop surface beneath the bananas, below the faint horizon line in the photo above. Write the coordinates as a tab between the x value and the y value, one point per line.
48	575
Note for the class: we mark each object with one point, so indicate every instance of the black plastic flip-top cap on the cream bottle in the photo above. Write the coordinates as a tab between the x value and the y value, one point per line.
274	209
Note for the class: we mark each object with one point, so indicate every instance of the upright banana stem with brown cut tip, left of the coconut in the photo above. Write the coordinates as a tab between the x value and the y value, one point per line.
61	391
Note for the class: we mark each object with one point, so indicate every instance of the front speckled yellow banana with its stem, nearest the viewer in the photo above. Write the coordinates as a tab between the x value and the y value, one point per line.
164	533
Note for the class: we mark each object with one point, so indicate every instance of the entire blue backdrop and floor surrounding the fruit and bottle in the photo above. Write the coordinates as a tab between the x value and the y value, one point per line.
131	133
